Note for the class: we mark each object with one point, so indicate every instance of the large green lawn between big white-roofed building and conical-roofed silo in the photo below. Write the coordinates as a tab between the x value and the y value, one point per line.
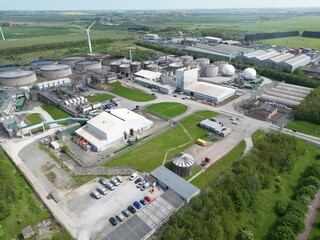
149	155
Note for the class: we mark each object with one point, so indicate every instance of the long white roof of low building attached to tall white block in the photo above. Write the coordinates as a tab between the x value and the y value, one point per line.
211	90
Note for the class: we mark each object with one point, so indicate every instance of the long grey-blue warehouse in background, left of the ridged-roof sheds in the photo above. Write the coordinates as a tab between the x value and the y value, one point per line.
223	51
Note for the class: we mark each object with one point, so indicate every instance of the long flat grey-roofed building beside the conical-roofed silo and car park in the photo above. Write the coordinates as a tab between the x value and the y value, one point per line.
171	181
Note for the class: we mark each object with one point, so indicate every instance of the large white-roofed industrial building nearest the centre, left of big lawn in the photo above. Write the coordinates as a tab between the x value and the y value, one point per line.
108	127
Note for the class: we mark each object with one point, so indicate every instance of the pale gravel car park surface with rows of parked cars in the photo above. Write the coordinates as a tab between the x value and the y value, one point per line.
92	215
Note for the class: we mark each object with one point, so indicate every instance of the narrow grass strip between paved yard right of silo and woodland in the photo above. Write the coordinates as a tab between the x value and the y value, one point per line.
220	167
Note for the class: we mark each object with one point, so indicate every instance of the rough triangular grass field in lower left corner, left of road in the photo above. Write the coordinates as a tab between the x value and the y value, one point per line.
27	209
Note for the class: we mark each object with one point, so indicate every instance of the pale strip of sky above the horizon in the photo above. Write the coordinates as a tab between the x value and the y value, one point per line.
149	4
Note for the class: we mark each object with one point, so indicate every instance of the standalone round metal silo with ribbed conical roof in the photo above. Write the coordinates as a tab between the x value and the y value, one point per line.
182	164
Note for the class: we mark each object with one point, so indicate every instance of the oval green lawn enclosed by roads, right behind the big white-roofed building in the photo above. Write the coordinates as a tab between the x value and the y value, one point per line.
167	109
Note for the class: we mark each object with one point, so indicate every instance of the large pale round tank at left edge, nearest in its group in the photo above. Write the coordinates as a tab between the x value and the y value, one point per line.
17	78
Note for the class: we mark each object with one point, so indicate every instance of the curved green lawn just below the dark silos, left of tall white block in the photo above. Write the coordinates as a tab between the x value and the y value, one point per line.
131	94
